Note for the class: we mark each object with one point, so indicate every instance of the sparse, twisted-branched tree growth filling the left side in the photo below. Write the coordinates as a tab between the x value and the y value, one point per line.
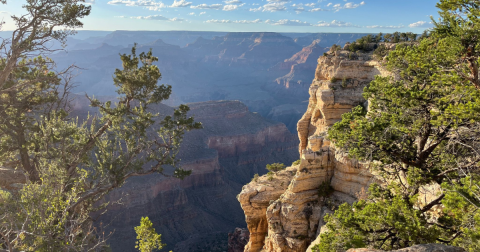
71	164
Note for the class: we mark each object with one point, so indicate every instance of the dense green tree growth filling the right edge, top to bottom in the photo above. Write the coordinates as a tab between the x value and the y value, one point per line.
422	129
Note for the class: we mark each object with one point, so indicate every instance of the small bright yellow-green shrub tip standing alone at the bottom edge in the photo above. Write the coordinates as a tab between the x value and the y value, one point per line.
147	239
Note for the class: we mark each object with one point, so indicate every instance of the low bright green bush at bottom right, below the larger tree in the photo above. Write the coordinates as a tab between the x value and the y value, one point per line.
386	223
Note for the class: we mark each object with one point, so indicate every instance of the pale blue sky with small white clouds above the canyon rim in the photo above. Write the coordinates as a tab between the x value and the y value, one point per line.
339	16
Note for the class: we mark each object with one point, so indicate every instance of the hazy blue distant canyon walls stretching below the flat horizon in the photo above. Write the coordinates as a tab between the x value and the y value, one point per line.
269	72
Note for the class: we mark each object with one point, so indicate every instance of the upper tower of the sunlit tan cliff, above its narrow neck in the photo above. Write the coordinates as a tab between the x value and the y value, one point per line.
336	89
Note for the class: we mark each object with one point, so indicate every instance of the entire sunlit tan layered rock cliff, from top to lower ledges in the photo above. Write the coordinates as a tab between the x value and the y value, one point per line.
286	213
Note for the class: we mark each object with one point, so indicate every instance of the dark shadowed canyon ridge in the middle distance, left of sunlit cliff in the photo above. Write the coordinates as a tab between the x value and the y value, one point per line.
197	212
